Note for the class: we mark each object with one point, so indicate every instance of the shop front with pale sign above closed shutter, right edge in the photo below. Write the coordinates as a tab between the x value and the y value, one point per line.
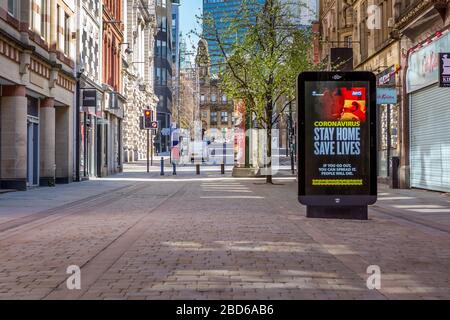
429	115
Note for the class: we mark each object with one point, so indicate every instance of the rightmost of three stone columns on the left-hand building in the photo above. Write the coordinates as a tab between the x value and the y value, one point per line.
63	142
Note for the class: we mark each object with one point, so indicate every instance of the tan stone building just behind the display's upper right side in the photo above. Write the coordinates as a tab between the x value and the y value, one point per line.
377	51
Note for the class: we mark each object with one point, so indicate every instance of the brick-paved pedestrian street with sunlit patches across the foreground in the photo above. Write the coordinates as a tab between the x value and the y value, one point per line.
143	236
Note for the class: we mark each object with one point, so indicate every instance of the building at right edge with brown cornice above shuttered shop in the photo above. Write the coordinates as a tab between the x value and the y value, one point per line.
422	29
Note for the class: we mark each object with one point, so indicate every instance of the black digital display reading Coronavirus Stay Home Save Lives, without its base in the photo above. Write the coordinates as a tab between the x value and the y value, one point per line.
337	138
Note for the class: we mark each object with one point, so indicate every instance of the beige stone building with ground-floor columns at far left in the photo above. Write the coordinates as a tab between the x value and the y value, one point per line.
37	54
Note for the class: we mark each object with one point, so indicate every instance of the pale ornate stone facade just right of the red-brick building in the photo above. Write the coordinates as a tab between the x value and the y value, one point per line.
138	76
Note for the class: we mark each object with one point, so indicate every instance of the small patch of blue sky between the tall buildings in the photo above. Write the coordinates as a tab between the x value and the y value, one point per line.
189	9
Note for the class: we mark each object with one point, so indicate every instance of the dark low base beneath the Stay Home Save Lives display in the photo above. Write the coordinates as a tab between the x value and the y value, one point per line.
348	212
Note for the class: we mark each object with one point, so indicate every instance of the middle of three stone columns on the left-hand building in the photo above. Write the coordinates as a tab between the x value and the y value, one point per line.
47	142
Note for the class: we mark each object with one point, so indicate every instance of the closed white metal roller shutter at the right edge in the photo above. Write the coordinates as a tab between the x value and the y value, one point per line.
430	138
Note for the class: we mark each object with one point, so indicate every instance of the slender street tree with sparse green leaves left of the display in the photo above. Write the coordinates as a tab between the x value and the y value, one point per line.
261	65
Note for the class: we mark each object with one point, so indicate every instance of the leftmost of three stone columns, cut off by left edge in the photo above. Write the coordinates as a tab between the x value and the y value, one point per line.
13	137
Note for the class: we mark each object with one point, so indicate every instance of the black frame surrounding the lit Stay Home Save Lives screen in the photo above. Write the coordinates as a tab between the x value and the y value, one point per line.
336	200
